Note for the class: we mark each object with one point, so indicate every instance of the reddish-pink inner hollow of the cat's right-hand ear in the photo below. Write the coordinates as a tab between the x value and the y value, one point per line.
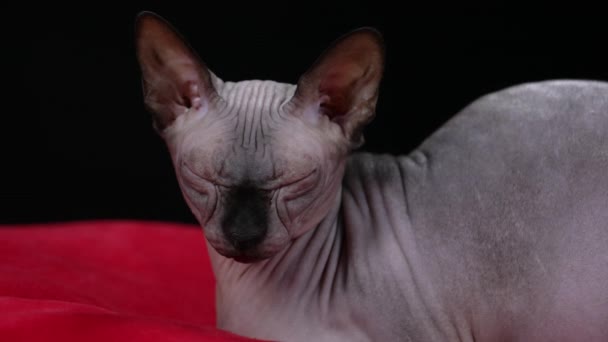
337	88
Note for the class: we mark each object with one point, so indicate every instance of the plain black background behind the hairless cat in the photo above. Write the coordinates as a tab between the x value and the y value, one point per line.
78	144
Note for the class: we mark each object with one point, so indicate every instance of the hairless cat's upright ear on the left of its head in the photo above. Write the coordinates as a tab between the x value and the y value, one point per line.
175	80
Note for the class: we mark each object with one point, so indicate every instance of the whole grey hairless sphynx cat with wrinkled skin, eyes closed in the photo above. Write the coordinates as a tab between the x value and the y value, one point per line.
494	229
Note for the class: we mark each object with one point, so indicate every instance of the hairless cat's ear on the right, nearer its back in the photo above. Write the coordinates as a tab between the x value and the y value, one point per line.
343	83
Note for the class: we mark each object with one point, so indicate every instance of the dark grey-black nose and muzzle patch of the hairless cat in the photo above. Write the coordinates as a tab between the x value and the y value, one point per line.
245	220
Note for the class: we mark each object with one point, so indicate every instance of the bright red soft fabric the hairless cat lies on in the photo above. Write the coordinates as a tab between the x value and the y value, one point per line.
106	281
